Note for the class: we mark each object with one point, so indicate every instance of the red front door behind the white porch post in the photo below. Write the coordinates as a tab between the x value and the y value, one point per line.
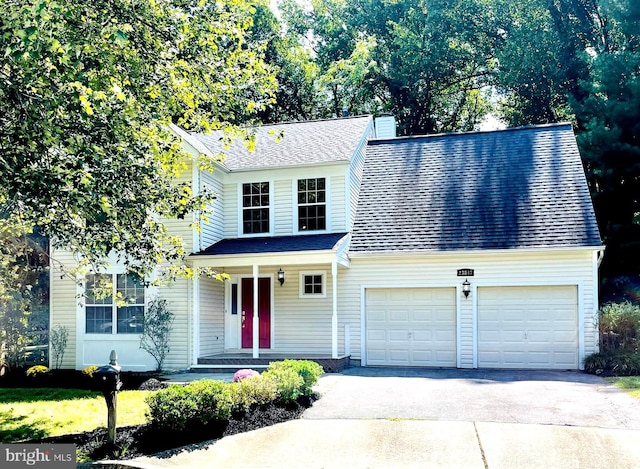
264	312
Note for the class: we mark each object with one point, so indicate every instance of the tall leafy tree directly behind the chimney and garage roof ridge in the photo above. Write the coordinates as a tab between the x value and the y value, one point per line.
426	61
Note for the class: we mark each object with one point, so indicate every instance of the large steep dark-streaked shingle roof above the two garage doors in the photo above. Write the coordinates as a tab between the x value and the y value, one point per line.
515	188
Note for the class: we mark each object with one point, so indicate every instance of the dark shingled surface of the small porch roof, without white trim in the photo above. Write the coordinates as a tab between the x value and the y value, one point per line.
262	245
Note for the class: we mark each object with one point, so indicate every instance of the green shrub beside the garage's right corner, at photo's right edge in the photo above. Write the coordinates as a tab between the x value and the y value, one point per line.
619	327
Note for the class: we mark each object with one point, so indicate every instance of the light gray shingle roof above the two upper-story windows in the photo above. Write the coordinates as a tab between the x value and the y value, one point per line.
302	143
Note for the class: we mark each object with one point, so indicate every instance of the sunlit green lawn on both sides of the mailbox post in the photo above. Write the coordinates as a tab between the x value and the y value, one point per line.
27	414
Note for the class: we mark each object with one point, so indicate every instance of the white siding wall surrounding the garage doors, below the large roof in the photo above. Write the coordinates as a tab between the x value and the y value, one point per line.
440	270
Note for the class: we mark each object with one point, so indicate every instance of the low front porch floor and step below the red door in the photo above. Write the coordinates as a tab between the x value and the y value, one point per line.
224	362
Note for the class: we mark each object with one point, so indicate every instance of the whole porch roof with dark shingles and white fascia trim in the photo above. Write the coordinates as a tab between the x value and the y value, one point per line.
293	249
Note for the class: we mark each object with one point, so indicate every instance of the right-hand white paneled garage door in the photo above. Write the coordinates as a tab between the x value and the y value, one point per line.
528	327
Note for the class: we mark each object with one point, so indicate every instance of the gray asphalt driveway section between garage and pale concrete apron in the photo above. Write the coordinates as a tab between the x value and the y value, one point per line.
532	397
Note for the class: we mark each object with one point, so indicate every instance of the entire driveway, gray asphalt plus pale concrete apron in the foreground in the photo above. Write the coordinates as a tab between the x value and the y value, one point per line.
416	418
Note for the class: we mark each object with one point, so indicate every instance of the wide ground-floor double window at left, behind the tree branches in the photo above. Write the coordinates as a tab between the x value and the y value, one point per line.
114	299
